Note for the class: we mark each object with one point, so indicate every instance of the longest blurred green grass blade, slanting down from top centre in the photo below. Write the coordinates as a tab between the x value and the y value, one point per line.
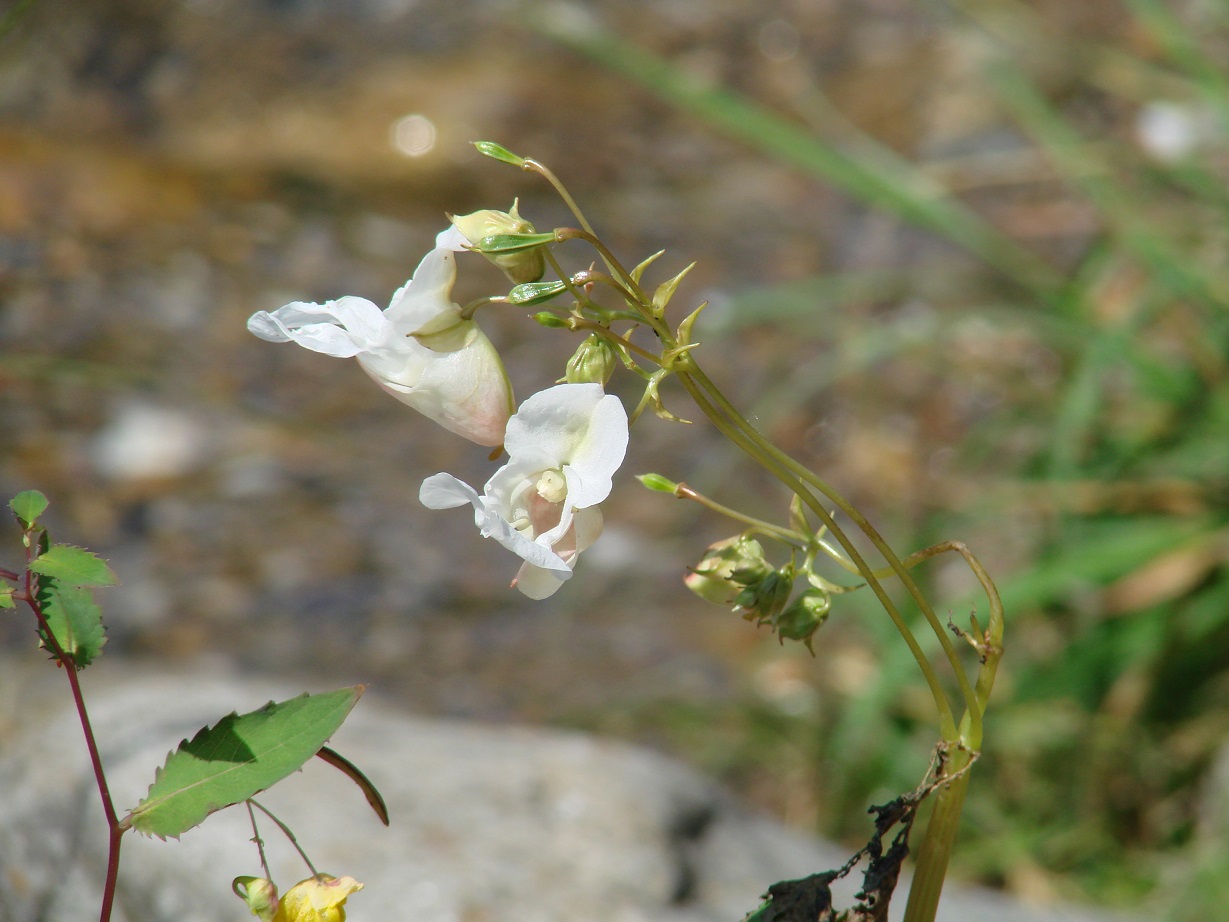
910	196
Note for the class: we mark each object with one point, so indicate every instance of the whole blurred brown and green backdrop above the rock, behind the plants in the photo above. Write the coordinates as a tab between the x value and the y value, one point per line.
967	259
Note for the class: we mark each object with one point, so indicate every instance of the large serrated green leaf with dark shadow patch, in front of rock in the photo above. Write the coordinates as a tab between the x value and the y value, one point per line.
239	758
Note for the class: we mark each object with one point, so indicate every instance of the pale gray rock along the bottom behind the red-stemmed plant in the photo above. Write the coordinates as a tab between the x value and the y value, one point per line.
489	823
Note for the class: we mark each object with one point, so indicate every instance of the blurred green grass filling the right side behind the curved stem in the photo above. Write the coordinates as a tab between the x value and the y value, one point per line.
1097	485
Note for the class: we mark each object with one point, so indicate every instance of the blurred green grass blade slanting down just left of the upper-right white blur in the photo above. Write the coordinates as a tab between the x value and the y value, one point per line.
1168	262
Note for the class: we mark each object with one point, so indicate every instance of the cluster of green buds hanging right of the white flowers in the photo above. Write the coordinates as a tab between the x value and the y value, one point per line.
736	573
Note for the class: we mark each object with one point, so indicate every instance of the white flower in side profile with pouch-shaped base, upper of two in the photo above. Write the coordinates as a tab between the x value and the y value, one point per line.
420	350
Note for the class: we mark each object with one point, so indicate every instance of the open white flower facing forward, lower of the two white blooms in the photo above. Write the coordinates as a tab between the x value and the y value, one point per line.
563	448
